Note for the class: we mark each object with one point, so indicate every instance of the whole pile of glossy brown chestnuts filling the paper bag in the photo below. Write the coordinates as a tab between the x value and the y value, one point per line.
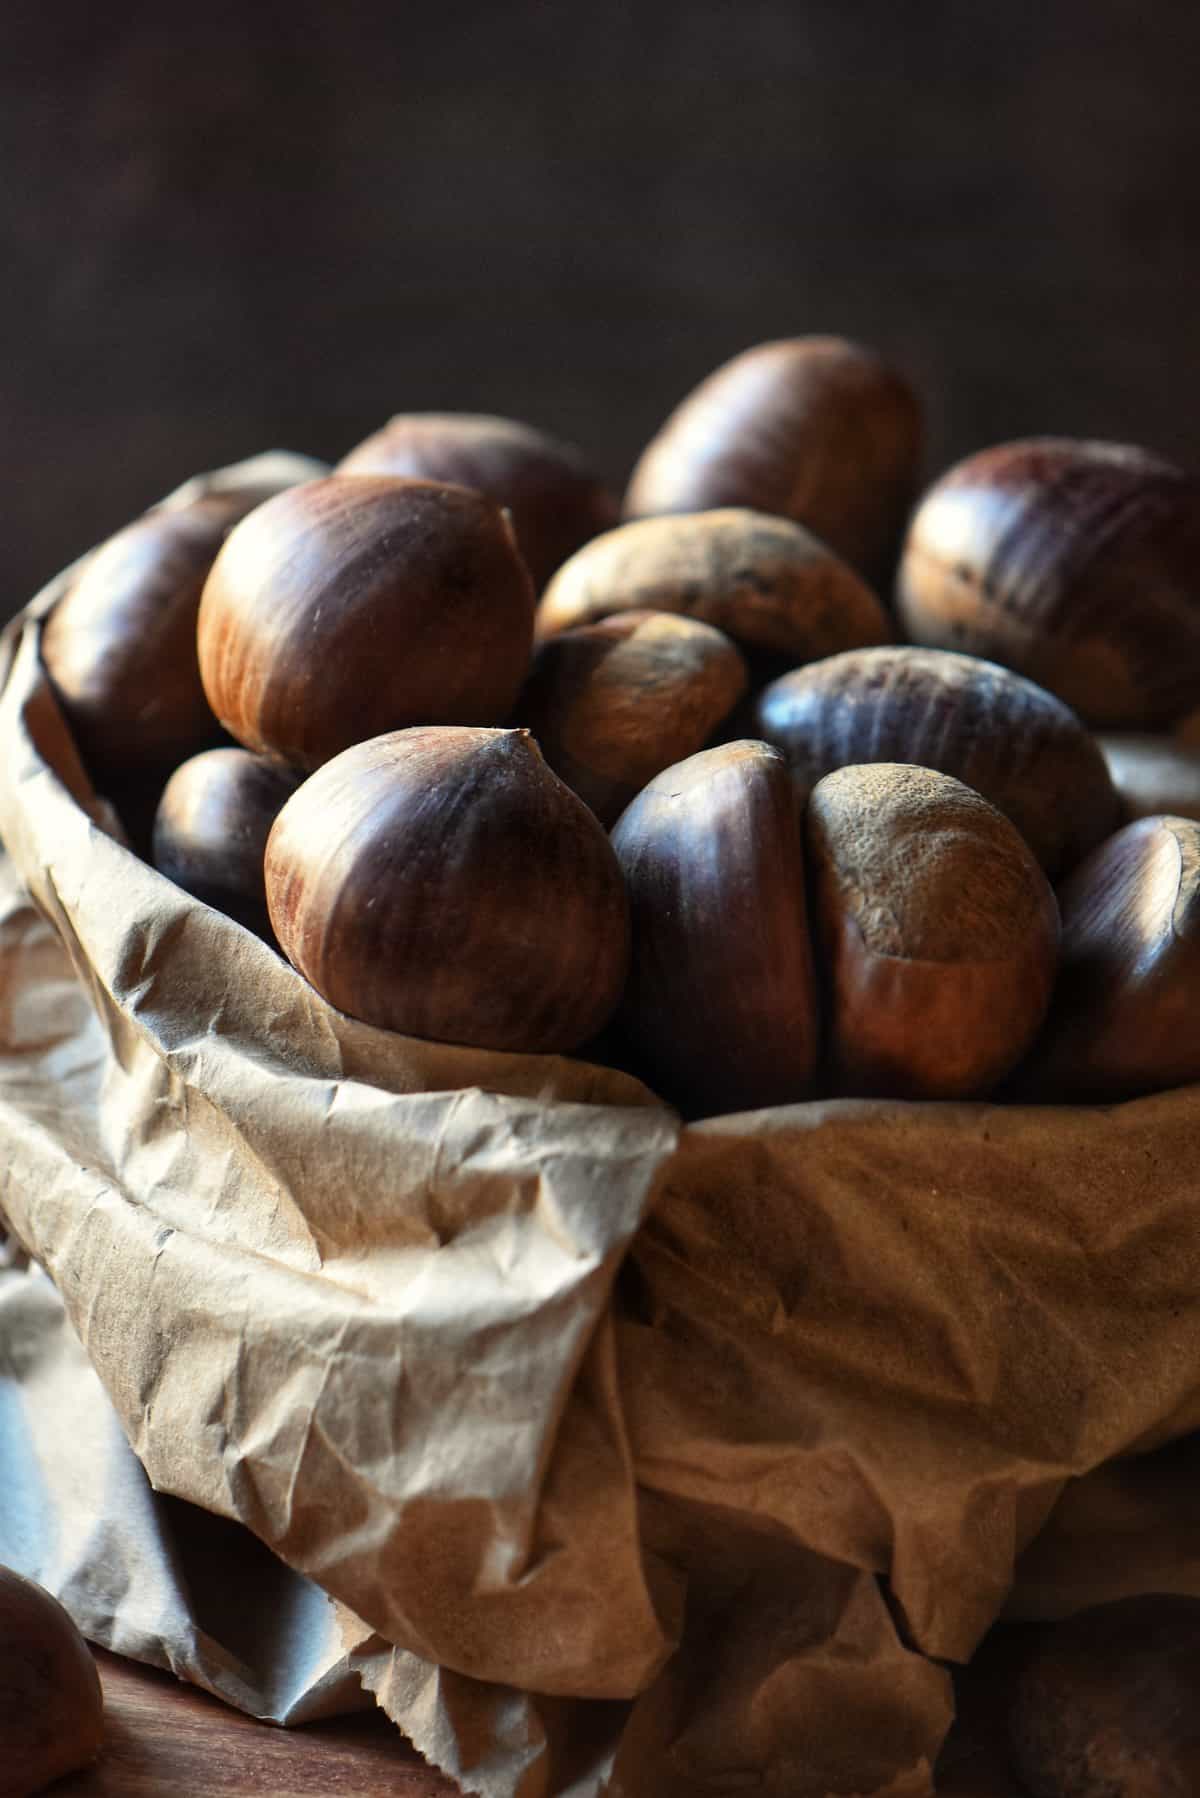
776	779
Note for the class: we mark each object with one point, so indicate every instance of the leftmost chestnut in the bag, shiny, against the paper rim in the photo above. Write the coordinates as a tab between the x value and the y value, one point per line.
120	646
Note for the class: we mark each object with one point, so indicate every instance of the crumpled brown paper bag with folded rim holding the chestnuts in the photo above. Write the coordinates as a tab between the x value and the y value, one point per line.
733	1432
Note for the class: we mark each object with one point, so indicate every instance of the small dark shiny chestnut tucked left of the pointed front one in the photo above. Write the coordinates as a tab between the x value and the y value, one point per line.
211	828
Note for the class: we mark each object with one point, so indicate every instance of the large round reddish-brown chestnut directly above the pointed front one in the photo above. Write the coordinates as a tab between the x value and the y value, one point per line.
357	605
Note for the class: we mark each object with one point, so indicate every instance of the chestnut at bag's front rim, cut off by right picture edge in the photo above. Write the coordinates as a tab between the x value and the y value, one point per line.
1127	1008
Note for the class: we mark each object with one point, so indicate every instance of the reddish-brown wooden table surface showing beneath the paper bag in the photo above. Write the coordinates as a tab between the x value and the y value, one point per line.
166	1740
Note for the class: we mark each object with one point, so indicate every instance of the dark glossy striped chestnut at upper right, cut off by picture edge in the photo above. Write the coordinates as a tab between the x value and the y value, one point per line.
1073	562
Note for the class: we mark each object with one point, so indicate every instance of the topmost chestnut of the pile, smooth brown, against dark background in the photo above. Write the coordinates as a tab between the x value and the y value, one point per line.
816	429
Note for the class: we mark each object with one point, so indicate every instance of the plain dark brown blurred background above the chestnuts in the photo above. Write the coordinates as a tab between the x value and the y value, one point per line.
274	226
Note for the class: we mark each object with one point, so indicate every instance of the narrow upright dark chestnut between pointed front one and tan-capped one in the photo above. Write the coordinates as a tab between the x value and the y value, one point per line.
721	1011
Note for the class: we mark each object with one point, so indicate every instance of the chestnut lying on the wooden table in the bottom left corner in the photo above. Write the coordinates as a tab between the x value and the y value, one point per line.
51	1702
